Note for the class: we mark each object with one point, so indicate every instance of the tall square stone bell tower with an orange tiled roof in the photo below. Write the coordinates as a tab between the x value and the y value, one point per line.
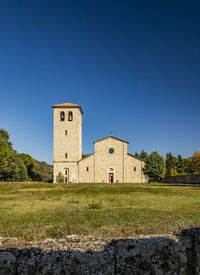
67	140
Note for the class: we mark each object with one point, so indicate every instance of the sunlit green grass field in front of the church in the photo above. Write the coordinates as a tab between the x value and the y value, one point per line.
39	210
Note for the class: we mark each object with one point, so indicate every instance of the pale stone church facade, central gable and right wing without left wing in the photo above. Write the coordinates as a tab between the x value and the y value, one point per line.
122	163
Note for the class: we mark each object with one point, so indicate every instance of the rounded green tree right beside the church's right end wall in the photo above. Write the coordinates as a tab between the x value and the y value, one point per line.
155	166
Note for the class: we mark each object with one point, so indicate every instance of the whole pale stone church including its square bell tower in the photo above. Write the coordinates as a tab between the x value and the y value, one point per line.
110	162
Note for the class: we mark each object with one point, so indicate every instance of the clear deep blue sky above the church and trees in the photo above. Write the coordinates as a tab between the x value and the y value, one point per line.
133	66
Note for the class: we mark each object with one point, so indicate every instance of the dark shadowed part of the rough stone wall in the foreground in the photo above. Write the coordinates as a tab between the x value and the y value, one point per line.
125	256
